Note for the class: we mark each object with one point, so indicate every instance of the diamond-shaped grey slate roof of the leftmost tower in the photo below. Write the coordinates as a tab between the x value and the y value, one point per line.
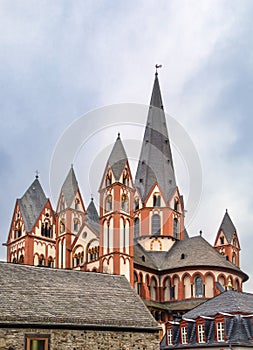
31	204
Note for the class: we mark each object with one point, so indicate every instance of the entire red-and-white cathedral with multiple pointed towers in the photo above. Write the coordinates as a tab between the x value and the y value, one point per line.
138	230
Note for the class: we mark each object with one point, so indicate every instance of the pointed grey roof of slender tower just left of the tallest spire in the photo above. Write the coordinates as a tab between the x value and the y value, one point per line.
117	158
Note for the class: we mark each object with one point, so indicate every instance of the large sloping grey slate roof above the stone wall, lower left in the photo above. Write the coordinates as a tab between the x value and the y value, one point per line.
45	296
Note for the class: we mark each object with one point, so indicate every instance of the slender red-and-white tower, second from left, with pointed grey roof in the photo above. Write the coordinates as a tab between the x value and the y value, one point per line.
70	219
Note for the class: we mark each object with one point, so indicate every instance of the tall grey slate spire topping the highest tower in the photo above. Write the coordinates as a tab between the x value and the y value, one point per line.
155	162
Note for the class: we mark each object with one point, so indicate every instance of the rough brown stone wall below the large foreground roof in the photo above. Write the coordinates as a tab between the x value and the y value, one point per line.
81	339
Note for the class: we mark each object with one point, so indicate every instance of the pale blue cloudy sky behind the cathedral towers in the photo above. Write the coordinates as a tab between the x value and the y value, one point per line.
61	60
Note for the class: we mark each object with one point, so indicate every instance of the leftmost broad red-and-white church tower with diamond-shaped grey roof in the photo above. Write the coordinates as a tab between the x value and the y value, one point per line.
31	237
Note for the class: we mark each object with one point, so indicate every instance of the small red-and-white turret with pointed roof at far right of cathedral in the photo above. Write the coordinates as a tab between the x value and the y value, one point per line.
227	242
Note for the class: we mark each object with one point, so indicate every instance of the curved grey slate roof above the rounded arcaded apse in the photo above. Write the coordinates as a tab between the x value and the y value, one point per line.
196	252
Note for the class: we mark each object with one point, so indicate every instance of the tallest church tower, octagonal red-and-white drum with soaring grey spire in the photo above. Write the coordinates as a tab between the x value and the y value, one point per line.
160	209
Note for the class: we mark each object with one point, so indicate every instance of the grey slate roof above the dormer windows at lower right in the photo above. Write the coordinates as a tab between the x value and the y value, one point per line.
229	302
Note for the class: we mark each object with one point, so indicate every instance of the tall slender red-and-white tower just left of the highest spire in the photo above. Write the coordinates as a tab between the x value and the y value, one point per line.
116	215
